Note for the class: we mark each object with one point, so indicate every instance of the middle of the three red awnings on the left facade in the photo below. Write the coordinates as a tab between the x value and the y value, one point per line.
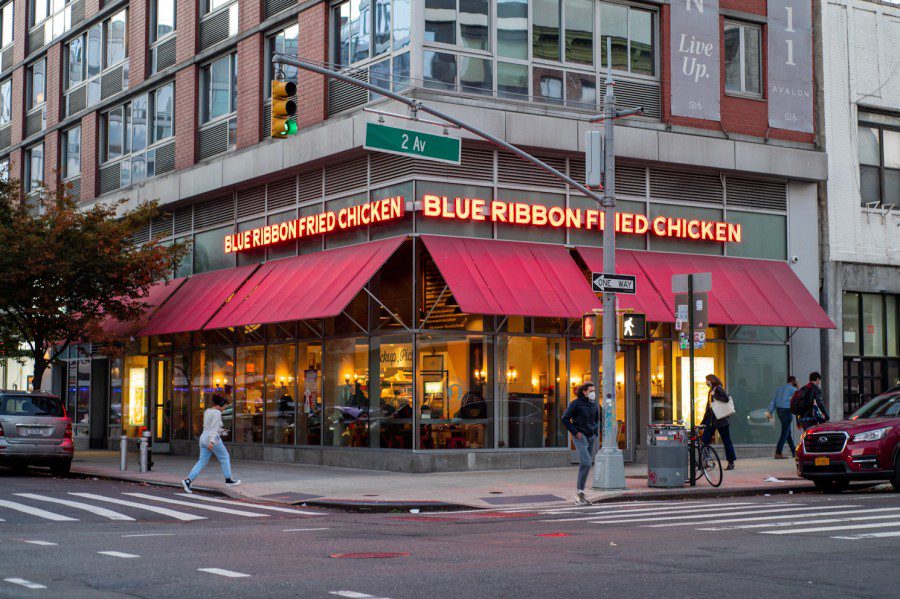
196	301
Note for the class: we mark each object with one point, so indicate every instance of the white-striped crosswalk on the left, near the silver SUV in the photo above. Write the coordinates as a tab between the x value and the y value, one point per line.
126	507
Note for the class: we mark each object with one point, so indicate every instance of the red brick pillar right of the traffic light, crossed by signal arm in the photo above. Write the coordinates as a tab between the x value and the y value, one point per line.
312	100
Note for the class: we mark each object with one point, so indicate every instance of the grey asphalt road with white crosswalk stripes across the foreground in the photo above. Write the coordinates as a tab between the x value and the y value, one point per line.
791	545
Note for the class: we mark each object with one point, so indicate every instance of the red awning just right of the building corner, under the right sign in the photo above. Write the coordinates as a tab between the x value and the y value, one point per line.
512	278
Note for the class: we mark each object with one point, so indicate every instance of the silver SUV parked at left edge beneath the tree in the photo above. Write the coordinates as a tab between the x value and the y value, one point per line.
34	429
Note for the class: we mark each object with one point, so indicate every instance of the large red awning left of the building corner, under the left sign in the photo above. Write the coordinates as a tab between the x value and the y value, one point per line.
311	286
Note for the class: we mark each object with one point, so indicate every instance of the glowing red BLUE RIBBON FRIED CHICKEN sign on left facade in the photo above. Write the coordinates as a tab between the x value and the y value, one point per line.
377	211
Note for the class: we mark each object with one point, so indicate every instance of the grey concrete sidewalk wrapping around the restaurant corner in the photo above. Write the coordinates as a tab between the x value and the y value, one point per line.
373	489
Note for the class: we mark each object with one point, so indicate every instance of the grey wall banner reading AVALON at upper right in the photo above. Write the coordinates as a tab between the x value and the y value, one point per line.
790	65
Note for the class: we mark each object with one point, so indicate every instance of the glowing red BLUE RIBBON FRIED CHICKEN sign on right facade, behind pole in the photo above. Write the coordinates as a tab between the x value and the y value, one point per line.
538	215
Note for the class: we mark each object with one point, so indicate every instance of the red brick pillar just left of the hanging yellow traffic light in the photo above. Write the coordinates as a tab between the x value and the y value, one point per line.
250	91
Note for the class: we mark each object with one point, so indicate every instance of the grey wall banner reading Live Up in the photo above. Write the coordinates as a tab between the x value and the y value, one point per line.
694	48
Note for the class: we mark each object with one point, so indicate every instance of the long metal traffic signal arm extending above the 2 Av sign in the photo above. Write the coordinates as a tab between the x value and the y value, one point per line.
417	105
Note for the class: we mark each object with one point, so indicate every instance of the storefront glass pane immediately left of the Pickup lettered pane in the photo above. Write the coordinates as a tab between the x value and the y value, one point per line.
346	414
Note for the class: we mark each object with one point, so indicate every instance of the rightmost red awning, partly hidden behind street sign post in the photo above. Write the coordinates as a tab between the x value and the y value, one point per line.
745	291
